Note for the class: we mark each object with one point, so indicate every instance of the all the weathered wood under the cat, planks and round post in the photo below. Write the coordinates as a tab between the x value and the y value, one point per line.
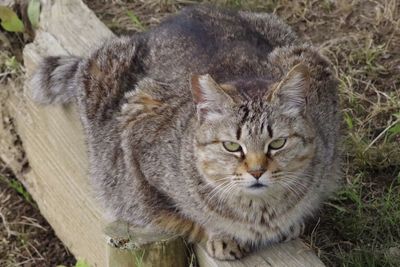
54	144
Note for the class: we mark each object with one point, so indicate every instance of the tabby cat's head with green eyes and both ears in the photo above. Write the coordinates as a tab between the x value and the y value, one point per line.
248	145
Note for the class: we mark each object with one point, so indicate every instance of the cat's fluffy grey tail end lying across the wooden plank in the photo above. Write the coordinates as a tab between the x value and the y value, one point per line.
55	80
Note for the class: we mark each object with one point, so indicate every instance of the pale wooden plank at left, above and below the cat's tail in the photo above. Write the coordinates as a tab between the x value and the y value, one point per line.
53	139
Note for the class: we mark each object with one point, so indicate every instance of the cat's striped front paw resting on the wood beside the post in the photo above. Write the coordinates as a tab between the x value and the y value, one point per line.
226	249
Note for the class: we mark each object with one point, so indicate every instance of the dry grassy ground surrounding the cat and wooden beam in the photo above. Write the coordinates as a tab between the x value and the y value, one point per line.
359	226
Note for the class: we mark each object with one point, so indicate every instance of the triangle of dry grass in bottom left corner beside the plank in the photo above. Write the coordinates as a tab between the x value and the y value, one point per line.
26	239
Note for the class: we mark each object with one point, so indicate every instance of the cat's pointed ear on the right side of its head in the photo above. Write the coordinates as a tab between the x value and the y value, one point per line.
290	93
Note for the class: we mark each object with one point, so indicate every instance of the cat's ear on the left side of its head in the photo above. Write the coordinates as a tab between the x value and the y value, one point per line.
208	97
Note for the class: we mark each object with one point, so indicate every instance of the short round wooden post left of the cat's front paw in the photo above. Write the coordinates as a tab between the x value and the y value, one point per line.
129	246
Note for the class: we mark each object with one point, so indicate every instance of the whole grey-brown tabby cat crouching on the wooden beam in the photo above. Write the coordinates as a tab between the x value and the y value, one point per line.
219	125
